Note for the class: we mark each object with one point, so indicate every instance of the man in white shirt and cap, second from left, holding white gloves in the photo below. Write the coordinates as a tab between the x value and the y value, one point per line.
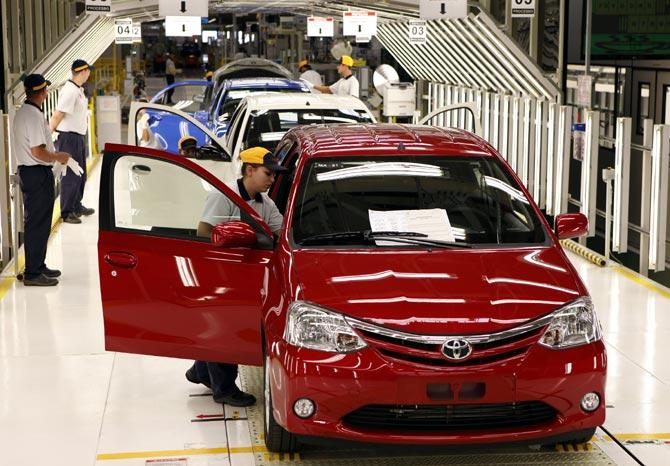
71	121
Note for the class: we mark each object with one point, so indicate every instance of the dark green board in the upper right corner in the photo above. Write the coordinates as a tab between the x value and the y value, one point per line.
631	28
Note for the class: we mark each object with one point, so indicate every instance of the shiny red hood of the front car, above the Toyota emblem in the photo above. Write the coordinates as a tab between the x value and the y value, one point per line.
440	292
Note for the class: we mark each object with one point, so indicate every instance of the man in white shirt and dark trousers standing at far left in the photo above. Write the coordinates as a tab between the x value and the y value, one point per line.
35	155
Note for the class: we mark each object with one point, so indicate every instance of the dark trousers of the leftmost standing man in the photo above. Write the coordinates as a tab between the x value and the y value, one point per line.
37	186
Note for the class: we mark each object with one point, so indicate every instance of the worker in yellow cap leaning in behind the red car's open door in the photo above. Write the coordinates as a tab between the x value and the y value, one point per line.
259	167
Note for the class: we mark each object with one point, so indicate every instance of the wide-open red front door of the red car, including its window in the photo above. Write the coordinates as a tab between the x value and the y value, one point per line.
165	290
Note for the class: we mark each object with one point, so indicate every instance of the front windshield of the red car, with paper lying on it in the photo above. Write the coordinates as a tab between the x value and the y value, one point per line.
454	200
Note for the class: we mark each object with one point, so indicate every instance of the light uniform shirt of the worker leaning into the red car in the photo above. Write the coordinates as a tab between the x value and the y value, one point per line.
219	208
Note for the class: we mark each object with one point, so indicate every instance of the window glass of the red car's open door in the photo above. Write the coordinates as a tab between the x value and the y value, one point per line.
162	198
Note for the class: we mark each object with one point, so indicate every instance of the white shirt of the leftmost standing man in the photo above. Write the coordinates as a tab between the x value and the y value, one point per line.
30	129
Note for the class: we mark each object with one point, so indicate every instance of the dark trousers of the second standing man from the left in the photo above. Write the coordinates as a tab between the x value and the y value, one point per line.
72	185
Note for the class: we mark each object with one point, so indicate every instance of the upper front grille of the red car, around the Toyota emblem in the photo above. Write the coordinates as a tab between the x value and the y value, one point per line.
428	350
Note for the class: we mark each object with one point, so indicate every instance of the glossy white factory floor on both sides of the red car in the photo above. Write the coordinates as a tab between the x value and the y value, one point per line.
64	401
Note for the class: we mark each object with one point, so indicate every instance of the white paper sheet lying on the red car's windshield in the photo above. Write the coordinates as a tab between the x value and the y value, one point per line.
432	222
